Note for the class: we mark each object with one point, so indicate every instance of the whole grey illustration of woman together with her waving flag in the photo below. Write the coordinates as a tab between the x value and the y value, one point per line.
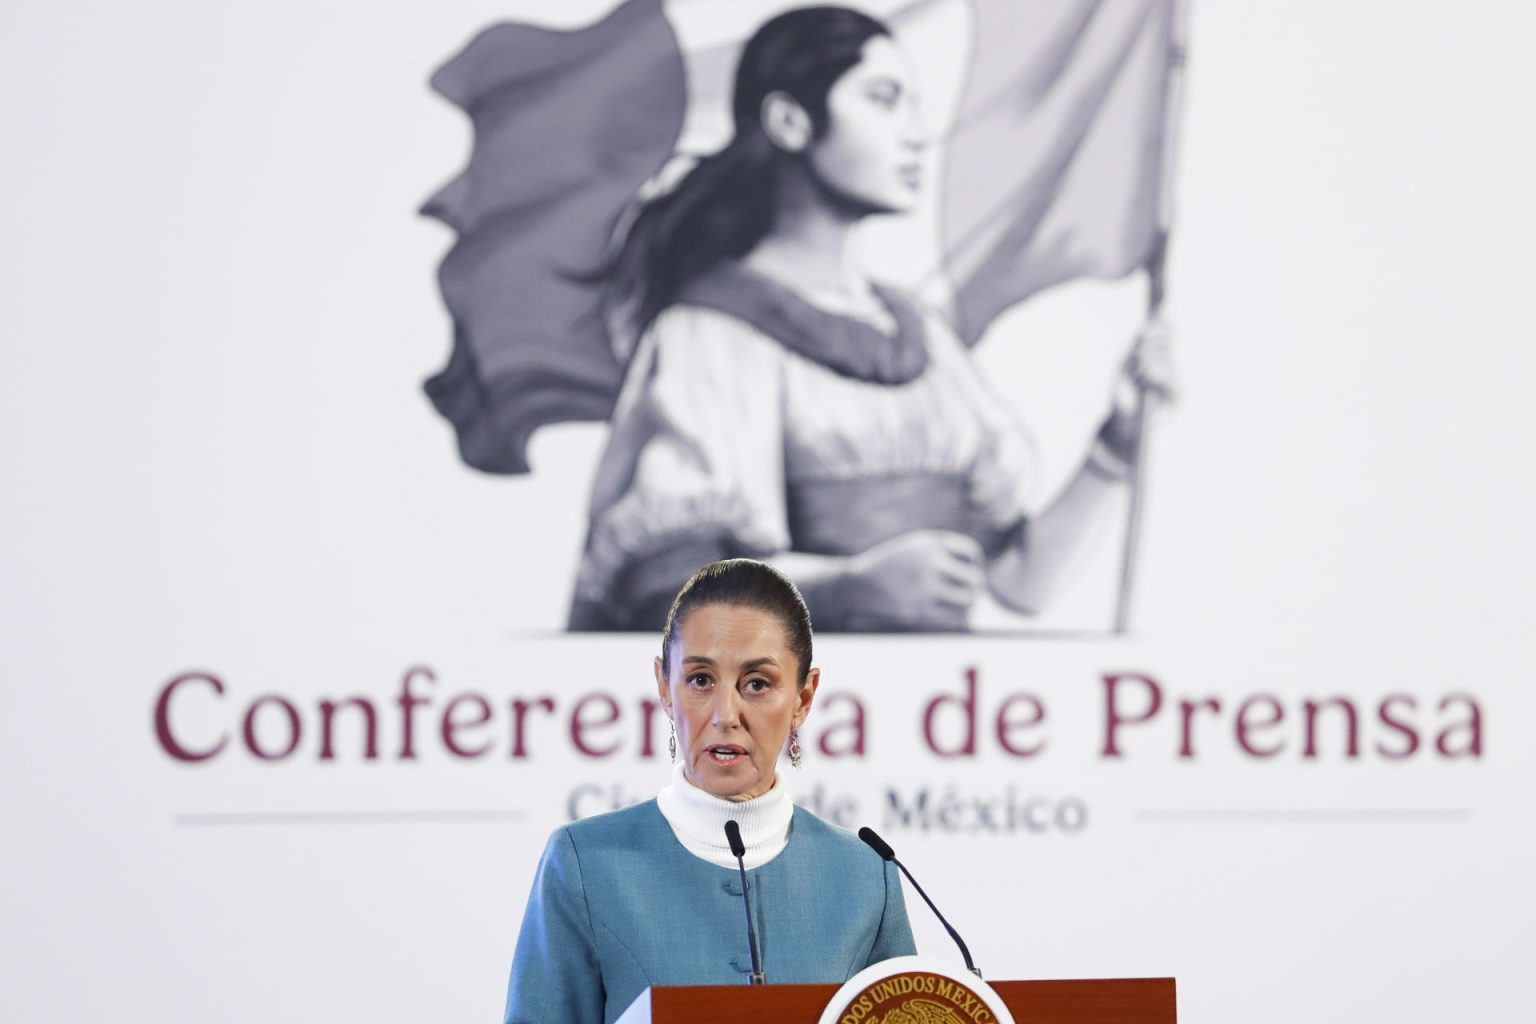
766	394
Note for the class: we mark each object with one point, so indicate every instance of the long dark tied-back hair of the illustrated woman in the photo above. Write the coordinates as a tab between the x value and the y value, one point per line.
724	206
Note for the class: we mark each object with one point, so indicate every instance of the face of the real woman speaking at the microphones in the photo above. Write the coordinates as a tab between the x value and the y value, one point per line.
733	698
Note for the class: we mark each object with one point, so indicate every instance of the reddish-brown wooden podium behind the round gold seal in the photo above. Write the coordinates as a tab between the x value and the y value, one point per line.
1108	1002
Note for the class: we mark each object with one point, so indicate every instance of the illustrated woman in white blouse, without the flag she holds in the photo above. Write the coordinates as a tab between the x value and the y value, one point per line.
783	405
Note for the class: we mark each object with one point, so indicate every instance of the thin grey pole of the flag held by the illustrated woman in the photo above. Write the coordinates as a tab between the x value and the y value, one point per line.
1156	266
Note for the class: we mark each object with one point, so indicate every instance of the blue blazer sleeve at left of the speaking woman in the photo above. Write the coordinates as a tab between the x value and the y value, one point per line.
557	977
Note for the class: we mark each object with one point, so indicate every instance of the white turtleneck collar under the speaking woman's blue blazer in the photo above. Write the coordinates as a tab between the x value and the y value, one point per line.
698	821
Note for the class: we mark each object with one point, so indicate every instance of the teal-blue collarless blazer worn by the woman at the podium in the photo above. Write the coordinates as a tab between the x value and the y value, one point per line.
618	905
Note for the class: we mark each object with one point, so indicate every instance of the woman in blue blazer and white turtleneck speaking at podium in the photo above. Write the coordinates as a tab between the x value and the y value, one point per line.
650	896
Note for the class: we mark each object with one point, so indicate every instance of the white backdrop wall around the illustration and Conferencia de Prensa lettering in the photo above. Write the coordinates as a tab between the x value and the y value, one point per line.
217	458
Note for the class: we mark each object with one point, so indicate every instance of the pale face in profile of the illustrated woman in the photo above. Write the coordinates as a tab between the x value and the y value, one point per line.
873	150
